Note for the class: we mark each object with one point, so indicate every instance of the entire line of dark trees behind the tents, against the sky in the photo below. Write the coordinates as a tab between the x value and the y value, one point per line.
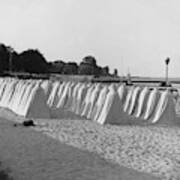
33	61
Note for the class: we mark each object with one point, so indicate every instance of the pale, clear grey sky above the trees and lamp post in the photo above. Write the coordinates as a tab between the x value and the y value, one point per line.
133	36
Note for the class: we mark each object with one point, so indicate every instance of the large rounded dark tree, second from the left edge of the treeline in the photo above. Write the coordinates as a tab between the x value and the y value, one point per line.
33	61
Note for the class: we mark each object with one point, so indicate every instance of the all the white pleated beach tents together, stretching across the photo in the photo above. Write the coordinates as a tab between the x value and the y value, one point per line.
113	103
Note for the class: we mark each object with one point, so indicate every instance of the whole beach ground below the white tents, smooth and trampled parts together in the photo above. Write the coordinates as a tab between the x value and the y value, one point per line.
81	149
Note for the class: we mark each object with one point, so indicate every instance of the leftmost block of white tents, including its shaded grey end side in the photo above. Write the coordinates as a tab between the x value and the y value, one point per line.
24	97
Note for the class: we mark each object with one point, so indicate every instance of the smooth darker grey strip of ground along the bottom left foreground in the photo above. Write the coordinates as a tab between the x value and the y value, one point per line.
31	155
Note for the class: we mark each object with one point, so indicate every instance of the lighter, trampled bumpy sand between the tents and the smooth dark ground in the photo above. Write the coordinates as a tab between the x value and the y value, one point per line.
149	149
